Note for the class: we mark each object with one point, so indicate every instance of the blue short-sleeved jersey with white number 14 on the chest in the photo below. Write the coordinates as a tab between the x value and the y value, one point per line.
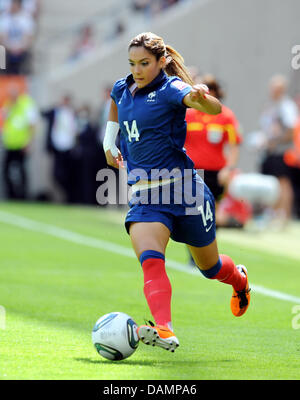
152	124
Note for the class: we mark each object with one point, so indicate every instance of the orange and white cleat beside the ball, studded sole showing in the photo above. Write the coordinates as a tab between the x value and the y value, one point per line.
158	335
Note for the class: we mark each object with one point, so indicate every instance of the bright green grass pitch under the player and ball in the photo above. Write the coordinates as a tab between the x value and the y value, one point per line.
54	286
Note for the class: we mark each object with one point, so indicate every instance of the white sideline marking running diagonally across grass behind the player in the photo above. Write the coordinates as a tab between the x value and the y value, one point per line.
78	238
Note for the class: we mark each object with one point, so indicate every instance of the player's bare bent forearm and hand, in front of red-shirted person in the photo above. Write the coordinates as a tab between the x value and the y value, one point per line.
199	99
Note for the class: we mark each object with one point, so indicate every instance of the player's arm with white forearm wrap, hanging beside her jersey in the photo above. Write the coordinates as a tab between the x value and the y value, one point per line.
112	153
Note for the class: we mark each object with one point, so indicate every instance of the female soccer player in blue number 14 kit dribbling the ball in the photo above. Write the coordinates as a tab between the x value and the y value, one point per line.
169	198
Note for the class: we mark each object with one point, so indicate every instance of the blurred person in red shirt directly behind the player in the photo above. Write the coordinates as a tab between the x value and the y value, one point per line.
212	141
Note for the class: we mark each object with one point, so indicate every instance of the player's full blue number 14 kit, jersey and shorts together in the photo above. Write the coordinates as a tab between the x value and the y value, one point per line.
153	131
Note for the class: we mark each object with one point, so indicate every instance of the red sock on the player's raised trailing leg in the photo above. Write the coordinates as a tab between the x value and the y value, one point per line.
230	274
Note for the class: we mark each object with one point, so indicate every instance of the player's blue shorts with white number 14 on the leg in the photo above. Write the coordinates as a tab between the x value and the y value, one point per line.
196	230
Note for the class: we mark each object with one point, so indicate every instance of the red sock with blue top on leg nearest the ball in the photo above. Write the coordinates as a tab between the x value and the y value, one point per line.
157	287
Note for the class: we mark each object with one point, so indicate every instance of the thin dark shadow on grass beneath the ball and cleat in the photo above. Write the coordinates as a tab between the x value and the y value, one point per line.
151	362
